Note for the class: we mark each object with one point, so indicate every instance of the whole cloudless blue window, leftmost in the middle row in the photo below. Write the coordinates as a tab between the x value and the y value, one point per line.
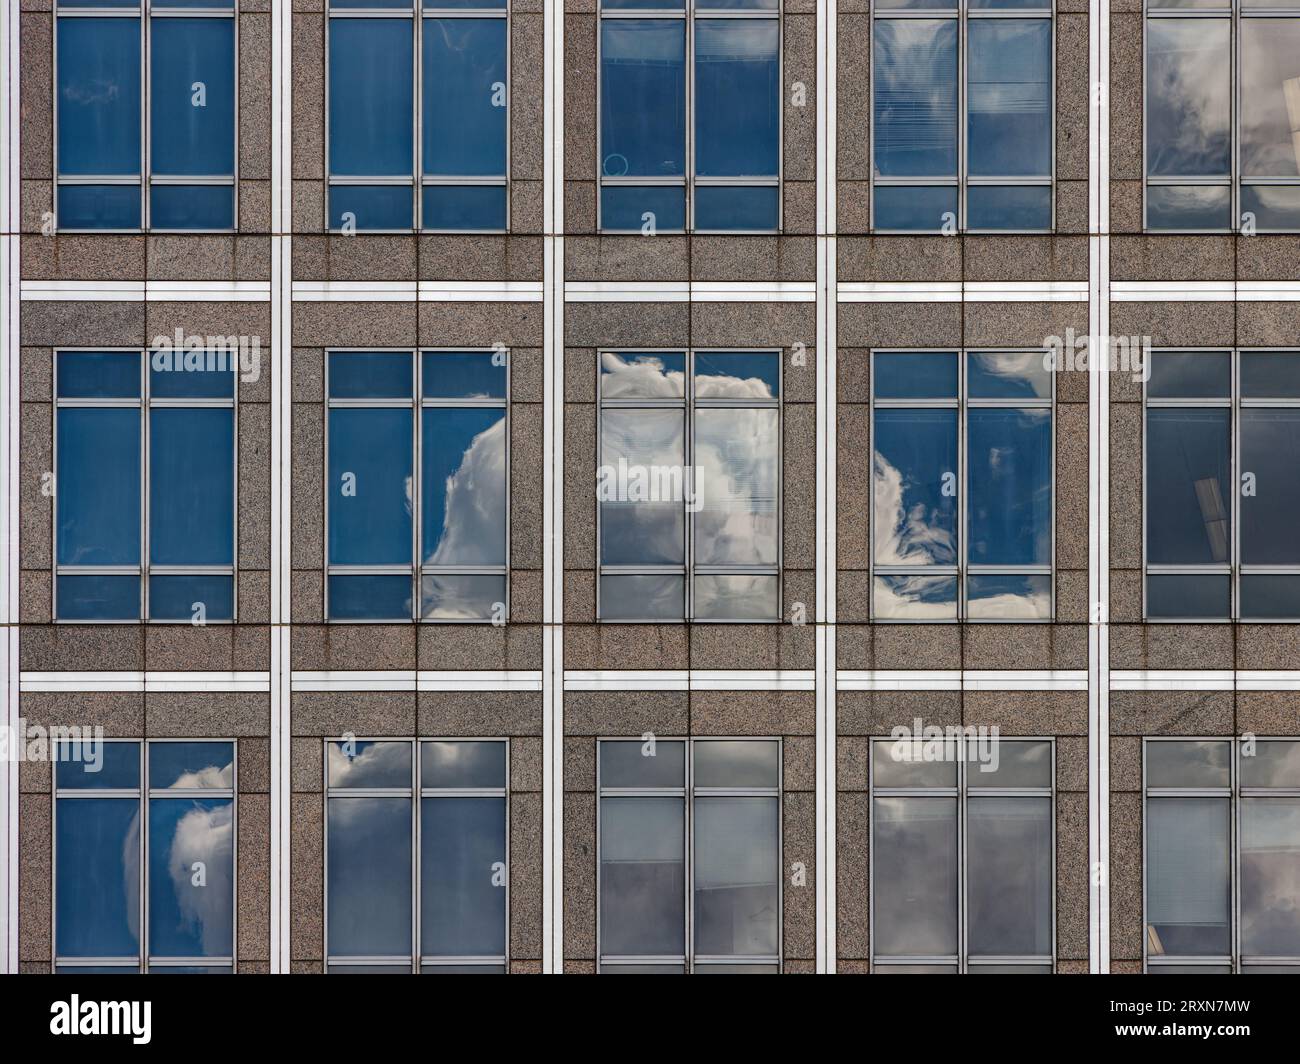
145	504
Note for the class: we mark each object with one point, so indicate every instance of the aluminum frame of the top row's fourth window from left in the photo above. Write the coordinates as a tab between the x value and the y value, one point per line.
963	12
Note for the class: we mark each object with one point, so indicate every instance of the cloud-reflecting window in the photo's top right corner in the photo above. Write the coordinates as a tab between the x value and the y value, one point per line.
1223	155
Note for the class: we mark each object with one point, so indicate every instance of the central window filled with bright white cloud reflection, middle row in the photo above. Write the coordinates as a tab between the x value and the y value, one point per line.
688	486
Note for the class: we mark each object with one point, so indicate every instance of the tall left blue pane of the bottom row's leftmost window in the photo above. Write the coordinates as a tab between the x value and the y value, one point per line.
98	879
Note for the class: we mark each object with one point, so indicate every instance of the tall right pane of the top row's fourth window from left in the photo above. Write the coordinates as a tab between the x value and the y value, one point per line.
1009	97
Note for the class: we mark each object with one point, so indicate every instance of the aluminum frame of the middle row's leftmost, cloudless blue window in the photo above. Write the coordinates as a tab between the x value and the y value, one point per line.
145	569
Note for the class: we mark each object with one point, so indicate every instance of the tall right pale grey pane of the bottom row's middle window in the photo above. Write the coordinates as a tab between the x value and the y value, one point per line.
736	876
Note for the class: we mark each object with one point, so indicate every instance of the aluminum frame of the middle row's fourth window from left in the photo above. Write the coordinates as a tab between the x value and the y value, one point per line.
963	570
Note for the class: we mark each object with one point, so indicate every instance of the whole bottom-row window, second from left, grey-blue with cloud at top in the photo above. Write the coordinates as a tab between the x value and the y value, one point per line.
417	857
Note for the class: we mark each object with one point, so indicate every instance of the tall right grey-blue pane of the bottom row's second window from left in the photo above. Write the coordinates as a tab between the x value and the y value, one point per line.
462	877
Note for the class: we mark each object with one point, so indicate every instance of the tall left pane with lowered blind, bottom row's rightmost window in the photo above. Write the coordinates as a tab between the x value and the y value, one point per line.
1189	883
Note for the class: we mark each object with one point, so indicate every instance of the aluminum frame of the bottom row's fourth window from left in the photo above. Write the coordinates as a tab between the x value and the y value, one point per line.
963	962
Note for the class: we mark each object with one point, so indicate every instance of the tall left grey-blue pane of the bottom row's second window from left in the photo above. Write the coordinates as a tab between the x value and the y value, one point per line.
370	877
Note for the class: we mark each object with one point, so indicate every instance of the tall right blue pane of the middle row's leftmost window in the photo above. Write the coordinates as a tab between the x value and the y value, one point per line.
192	486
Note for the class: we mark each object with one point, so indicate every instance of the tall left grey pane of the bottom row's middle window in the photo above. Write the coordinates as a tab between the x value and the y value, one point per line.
643	877
